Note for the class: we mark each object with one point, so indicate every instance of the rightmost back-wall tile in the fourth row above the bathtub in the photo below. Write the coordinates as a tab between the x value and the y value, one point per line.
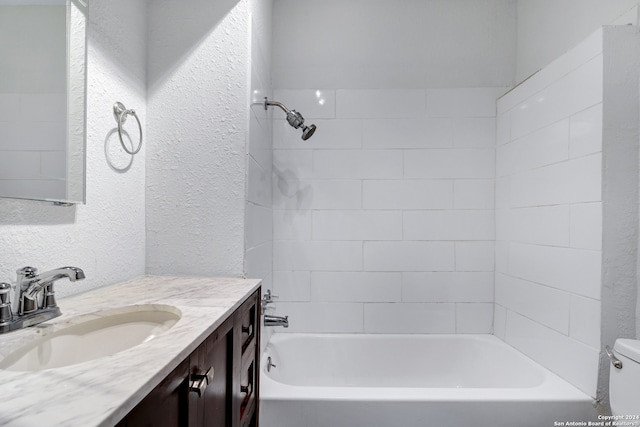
449	225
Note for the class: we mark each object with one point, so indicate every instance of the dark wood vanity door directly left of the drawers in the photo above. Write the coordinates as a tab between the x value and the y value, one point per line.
212	408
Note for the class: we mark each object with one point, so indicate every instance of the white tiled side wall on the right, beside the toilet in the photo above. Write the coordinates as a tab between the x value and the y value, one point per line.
549	215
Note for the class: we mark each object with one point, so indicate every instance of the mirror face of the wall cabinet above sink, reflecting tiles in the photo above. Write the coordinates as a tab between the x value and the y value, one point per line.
33	104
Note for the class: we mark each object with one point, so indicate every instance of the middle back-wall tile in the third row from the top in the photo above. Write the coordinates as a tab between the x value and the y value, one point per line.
357	164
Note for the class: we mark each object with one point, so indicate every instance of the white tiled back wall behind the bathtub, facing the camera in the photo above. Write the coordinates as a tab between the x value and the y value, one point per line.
384	219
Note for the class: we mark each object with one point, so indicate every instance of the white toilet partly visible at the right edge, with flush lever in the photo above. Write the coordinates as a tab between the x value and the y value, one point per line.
624	381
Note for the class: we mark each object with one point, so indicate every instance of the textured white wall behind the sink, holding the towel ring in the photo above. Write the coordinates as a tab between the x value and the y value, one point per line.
106	236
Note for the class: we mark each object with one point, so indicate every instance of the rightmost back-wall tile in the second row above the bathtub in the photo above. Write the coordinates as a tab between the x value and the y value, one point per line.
447	287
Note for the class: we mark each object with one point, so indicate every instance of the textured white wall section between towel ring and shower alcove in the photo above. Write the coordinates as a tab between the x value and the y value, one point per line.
198	100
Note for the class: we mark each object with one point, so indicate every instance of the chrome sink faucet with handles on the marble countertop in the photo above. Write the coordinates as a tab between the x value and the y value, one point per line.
32	308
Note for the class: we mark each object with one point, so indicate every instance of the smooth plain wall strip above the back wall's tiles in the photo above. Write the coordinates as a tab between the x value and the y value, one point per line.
366	44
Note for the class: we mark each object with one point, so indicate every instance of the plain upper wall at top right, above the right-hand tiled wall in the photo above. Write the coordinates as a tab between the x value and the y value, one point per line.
549	28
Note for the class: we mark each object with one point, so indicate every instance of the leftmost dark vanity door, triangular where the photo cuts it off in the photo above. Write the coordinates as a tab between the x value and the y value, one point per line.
166	405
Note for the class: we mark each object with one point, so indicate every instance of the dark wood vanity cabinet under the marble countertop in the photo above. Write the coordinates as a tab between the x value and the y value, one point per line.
229	398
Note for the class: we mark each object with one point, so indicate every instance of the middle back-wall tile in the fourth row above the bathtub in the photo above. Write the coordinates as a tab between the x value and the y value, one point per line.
357	225
